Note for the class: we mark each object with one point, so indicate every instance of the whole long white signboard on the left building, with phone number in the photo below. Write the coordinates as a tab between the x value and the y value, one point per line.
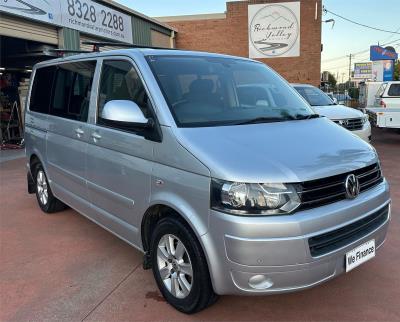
83	15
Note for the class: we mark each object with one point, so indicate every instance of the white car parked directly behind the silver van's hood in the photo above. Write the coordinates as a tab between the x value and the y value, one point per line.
350	118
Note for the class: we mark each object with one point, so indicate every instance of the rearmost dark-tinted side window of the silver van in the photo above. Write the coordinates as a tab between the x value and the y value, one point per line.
41	89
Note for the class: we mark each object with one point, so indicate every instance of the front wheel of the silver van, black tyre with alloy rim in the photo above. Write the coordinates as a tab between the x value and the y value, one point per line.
186	299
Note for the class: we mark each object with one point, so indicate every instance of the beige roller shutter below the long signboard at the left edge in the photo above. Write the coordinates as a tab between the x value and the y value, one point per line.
26	29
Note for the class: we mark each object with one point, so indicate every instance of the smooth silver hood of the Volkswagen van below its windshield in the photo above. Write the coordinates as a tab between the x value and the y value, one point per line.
290	151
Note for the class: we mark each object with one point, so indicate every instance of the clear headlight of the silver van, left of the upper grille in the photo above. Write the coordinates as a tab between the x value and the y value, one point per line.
253	198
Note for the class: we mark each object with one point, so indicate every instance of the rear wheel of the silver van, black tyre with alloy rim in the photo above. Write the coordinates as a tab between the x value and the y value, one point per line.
47	202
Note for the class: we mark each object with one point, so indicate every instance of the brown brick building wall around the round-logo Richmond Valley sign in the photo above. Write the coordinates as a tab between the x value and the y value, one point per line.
228	33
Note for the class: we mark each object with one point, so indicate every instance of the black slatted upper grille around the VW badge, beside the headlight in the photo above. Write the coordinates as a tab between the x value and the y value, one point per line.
324	191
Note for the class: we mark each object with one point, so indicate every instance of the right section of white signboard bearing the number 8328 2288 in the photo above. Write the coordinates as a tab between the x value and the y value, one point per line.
93	18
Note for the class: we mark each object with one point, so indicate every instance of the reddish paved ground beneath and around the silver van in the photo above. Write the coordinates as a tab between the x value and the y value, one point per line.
64	267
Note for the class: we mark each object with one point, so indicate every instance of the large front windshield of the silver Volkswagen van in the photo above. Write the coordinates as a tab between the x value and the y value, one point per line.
211	91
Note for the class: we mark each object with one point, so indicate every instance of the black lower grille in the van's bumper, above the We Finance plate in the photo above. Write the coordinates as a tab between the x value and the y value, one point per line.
335	239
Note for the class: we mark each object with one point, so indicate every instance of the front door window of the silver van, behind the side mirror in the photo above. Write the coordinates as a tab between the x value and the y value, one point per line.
120	81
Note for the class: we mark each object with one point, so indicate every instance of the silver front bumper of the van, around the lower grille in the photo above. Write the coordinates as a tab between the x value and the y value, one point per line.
264	255
